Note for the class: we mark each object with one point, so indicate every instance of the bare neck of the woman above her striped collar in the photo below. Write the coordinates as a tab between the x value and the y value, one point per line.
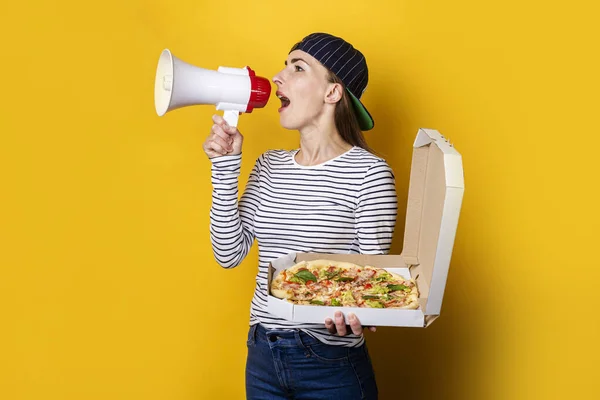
320	143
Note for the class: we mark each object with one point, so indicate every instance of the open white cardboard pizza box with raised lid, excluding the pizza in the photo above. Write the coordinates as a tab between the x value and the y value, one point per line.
434	201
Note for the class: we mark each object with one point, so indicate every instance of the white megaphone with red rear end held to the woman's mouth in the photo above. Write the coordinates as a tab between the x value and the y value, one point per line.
232	90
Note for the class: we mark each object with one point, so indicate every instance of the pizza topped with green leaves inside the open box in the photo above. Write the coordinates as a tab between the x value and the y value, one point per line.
344	284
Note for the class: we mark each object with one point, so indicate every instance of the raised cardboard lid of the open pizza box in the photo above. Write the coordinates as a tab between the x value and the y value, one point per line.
434	201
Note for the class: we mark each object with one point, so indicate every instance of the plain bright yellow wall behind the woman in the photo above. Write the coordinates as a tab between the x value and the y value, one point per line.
106	265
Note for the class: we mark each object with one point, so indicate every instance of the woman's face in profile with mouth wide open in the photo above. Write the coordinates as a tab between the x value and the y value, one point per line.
302	87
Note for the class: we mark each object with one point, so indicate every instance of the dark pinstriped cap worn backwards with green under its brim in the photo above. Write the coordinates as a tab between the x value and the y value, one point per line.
347	63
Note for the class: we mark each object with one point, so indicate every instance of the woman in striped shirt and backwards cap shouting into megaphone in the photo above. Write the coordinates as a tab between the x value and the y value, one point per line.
329	196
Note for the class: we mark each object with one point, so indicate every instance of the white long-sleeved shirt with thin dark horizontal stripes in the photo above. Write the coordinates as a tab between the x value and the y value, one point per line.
345	205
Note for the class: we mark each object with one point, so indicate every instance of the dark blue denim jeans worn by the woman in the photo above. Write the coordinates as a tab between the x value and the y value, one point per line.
294	365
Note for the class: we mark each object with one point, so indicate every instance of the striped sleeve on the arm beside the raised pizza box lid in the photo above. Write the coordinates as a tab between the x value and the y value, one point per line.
377	210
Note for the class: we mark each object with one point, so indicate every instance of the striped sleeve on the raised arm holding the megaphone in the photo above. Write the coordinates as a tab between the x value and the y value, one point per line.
232	222
